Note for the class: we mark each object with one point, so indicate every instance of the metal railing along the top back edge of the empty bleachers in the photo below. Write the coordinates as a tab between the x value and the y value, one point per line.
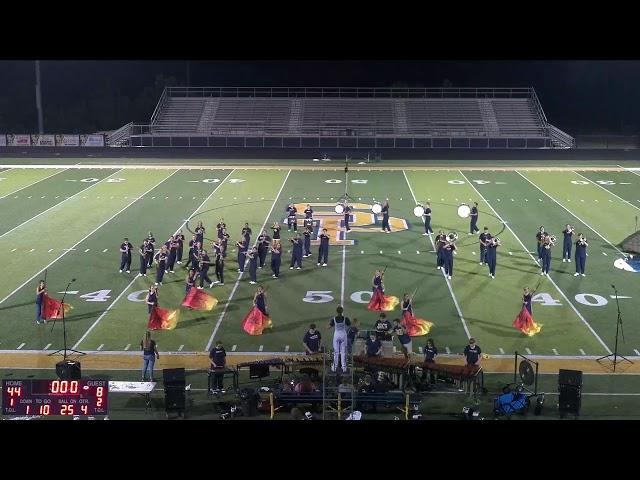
346	92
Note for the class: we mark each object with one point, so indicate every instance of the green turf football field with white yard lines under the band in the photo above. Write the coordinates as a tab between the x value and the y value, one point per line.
70	219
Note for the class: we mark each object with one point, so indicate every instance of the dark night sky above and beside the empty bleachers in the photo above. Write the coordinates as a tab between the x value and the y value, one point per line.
583	96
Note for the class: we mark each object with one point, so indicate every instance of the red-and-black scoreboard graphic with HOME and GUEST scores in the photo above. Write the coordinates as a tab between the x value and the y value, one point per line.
55	397
